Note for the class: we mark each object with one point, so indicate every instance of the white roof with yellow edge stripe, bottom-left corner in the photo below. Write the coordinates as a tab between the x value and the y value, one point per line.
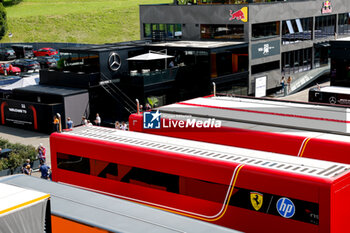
13	198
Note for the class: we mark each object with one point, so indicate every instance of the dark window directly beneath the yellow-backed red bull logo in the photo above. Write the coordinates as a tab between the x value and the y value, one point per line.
233	32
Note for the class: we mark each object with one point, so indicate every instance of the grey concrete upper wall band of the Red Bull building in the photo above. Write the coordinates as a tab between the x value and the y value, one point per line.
219	14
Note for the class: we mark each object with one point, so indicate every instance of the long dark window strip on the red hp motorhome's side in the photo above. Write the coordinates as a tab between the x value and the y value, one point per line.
143	177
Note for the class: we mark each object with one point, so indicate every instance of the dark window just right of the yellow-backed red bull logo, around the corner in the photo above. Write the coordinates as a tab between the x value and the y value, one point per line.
263	30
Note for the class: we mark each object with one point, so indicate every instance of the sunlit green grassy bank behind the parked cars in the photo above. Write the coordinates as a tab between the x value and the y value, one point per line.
83	21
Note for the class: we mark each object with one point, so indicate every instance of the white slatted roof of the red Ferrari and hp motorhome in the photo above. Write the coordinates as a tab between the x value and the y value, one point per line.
269	160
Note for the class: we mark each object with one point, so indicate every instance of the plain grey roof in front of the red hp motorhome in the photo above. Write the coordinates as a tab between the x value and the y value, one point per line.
110	213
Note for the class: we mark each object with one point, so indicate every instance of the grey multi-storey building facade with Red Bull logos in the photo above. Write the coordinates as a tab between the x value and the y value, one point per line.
285	38
